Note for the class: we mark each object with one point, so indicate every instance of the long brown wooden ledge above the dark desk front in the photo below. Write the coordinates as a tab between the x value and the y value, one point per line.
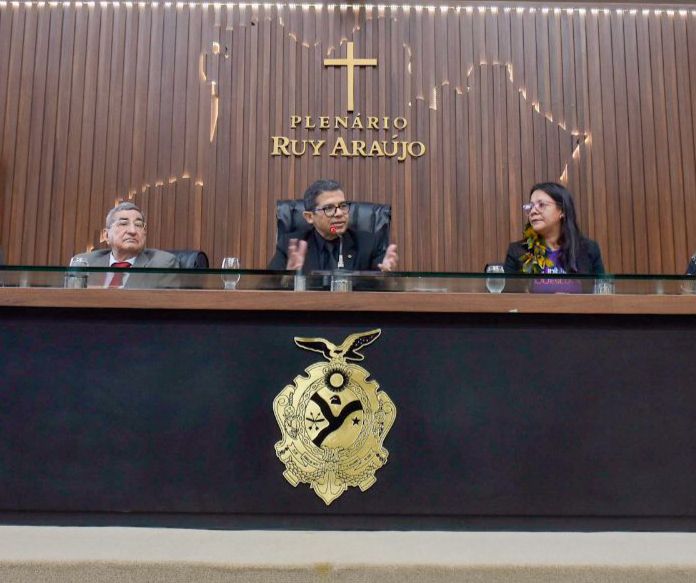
350	302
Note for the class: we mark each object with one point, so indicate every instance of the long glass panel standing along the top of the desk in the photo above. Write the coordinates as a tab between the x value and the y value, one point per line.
341	282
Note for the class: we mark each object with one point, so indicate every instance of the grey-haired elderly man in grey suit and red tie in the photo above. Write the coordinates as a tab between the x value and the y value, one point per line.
125	232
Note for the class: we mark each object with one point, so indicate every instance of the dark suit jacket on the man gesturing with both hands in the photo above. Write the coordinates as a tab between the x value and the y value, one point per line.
360	251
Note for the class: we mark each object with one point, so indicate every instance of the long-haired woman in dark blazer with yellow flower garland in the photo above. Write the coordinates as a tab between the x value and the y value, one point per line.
552	240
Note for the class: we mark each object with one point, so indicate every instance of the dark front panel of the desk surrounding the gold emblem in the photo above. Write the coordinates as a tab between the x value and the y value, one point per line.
526	416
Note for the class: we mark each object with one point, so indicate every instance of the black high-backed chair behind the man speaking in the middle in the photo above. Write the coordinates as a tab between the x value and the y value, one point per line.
364	216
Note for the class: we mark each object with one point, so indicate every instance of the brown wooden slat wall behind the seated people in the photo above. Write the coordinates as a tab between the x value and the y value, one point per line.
108	101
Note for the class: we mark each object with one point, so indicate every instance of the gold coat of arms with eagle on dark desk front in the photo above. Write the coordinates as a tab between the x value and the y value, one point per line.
334	420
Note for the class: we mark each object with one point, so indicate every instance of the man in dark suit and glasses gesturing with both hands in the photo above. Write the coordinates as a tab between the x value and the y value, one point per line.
328	243
